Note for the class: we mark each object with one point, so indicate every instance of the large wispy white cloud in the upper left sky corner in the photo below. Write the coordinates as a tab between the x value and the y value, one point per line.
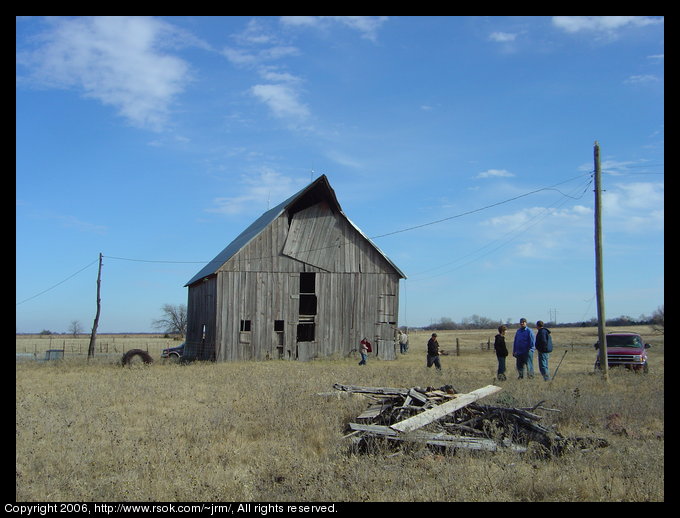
116	60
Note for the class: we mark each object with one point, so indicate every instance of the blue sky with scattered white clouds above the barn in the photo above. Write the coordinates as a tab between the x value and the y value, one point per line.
462	145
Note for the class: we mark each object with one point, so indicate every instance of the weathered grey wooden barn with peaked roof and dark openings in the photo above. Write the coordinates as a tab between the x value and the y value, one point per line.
301	282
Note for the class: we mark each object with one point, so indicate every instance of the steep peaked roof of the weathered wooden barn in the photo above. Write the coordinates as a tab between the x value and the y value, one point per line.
319	190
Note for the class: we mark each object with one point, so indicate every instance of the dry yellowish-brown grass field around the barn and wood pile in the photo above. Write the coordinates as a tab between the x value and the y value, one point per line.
259	431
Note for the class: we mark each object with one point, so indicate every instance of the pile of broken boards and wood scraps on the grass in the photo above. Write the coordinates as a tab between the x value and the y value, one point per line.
444	419
